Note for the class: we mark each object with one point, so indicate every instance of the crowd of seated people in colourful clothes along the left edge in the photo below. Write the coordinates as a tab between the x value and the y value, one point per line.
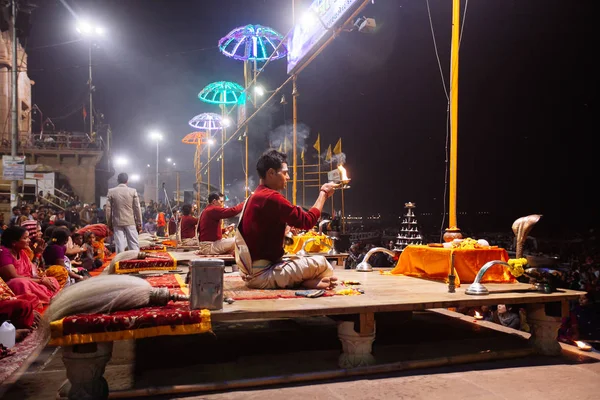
43	250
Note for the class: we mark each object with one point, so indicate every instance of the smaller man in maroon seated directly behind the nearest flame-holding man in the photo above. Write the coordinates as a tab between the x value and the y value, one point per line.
210	230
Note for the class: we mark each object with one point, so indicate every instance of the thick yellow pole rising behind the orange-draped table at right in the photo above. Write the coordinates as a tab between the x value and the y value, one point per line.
454	111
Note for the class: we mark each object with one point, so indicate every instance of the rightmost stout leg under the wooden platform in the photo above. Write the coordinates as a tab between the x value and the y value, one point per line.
544	330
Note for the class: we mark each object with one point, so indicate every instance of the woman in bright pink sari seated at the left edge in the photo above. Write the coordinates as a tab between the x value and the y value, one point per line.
17	270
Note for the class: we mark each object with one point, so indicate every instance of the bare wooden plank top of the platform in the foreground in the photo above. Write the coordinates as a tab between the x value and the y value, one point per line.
385	293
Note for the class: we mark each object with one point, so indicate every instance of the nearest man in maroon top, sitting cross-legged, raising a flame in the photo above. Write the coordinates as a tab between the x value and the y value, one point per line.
259	240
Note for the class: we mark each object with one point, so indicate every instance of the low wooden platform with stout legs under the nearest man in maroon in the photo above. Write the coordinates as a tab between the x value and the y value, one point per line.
85	364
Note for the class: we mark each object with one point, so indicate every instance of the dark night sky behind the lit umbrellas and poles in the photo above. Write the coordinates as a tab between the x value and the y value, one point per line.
528	101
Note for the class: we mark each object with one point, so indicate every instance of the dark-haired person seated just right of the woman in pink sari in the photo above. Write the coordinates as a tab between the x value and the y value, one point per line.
55	257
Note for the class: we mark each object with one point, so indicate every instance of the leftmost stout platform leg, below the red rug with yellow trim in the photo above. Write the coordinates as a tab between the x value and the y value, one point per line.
85	366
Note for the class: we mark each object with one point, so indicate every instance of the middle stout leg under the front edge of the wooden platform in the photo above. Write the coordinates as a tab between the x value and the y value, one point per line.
357	347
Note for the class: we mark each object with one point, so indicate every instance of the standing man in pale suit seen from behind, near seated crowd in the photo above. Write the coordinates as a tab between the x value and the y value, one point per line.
124	215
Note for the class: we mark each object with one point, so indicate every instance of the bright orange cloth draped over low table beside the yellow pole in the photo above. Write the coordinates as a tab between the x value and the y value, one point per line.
434	263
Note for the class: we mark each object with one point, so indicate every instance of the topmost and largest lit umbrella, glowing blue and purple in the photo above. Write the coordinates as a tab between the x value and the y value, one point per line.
252	43
